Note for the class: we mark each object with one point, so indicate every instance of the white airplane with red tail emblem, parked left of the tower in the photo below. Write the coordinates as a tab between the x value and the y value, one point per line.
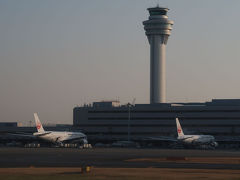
58	137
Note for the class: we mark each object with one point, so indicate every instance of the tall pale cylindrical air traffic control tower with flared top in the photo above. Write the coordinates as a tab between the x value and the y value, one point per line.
158	28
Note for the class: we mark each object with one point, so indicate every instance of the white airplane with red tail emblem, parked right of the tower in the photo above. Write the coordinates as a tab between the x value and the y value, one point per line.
206	141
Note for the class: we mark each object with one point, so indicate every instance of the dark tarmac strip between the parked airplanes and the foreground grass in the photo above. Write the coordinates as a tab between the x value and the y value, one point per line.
119	157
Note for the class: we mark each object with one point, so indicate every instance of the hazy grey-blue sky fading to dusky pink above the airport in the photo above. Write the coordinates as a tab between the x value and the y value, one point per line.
56	54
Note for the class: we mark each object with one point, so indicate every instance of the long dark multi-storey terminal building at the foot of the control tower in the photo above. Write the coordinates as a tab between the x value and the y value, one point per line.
220	117
